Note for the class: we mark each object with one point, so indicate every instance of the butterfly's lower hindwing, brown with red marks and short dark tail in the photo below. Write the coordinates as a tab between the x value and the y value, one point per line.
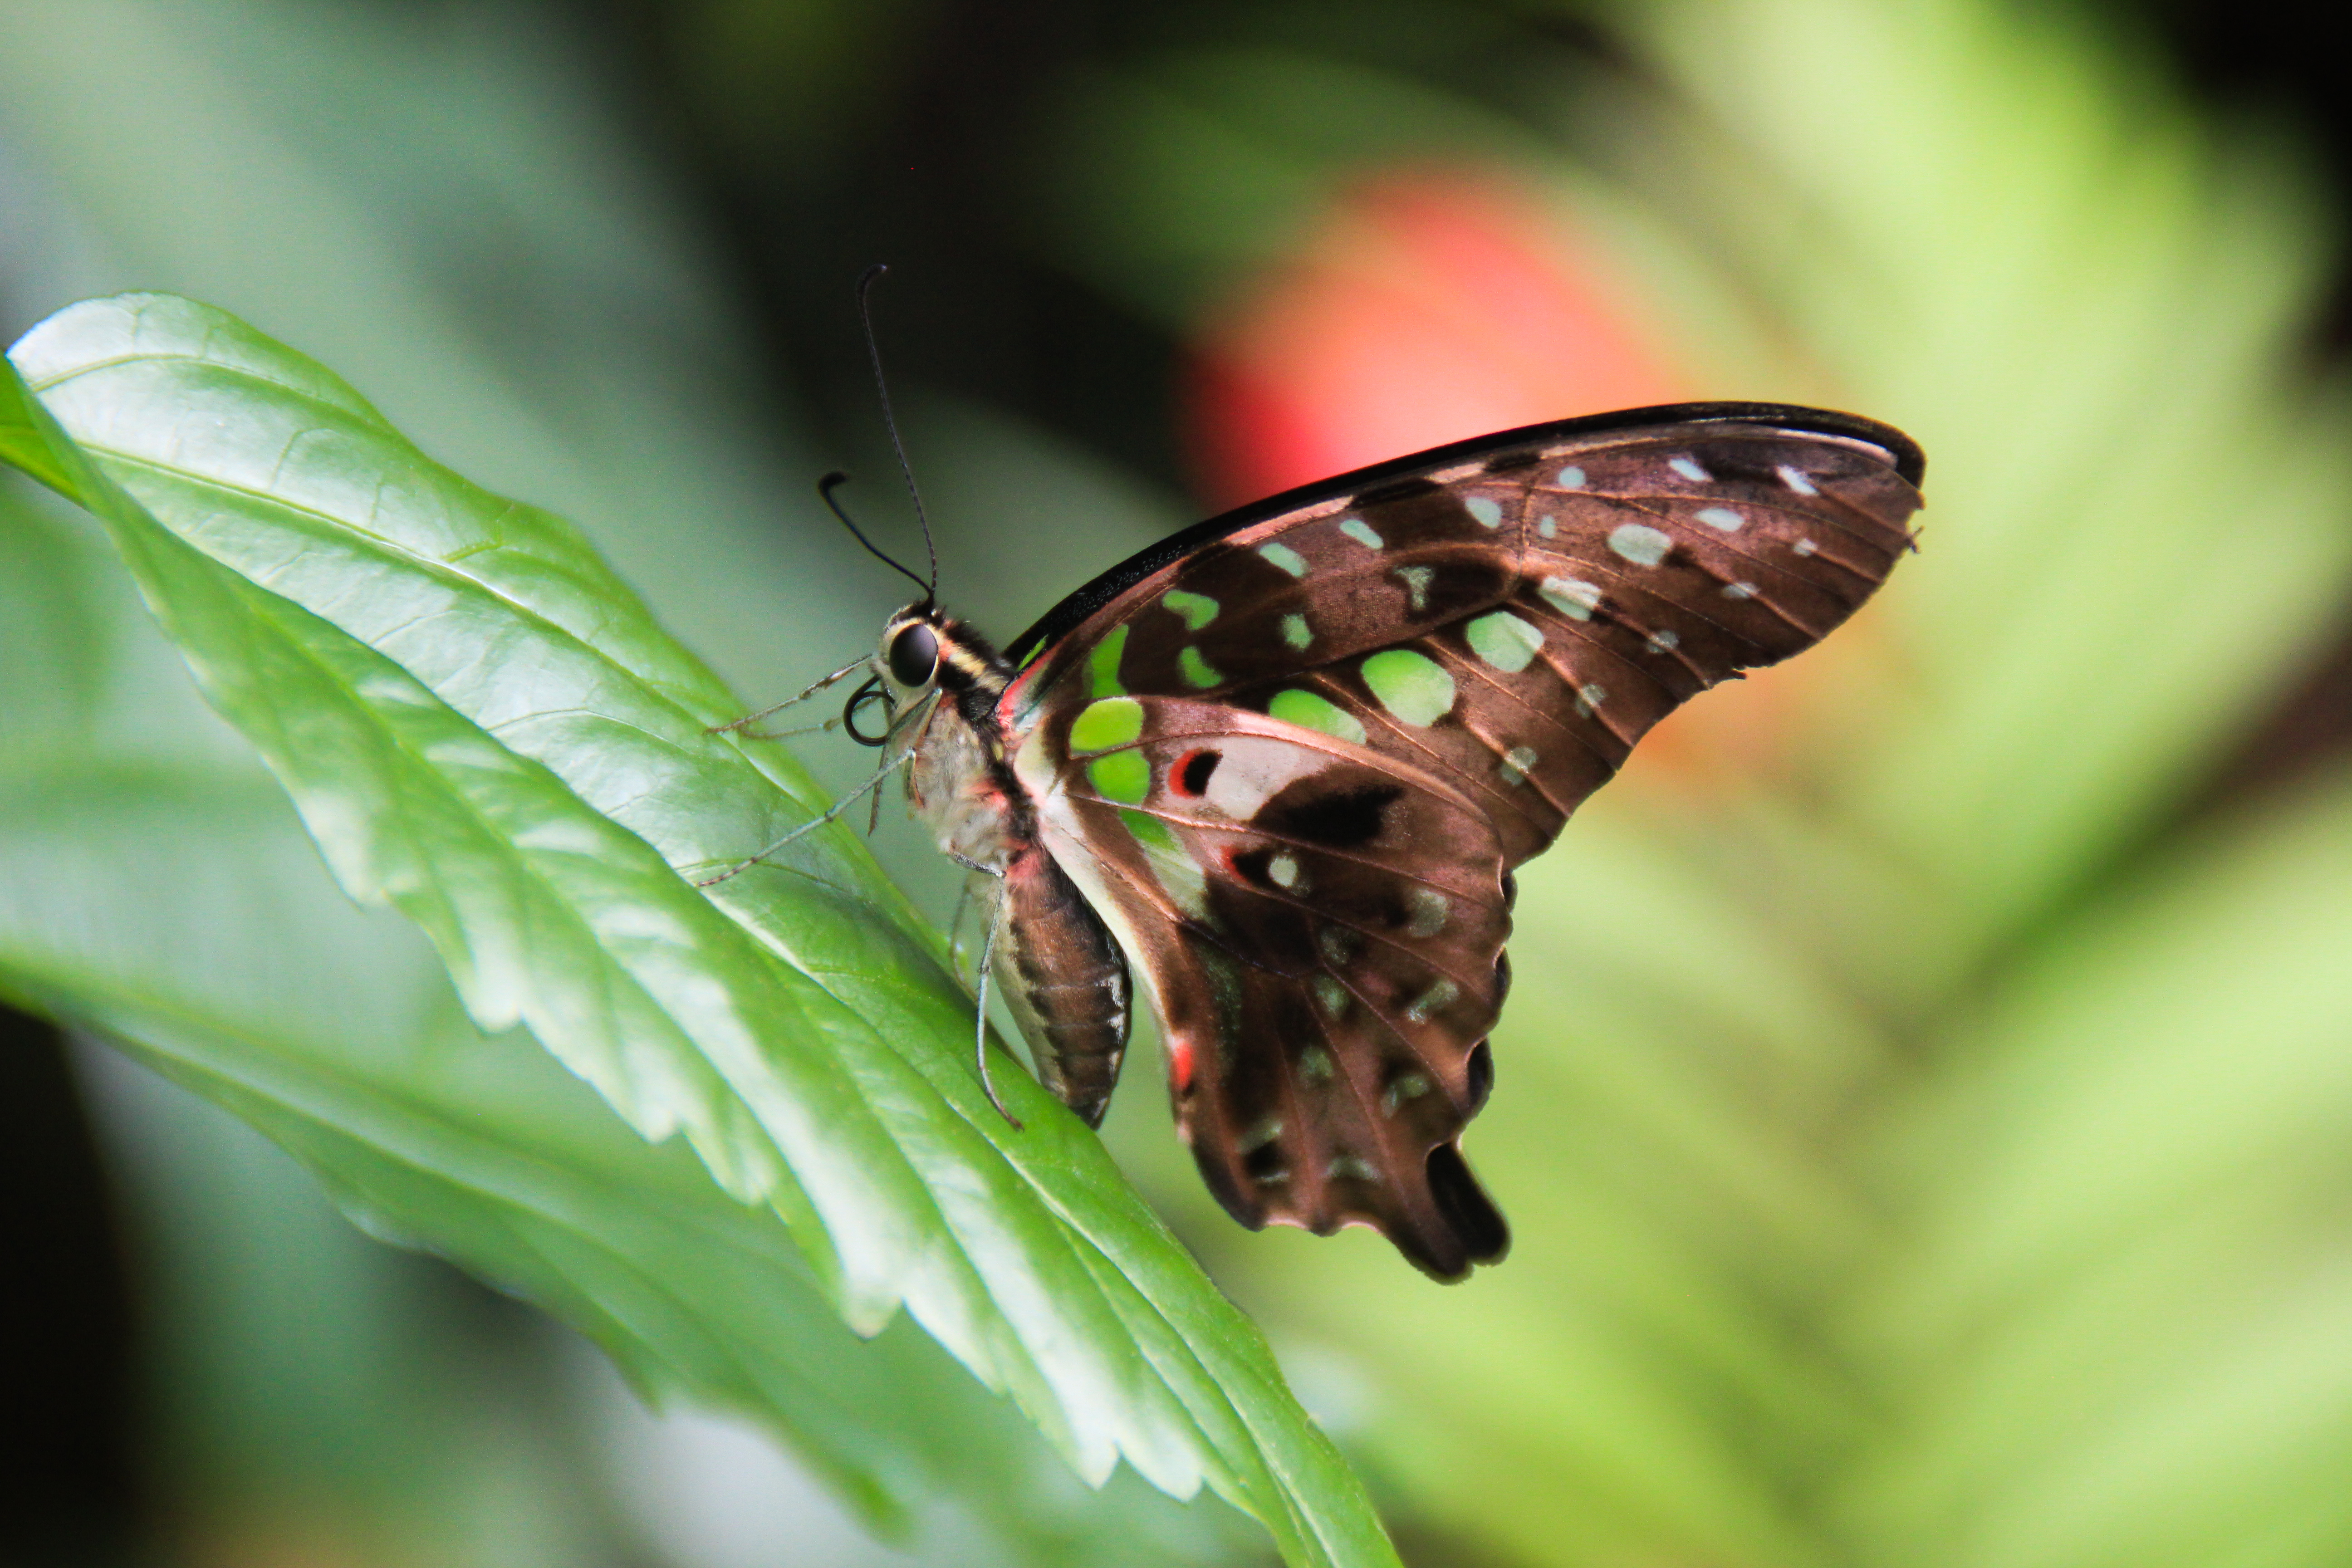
1323	934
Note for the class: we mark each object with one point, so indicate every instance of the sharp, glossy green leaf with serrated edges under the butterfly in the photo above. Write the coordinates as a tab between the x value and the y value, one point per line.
483	730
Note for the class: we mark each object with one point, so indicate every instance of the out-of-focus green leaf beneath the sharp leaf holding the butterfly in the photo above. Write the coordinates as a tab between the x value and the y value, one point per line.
159	890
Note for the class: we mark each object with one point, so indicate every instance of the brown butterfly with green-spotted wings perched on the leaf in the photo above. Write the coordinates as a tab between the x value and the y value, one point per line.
1283	765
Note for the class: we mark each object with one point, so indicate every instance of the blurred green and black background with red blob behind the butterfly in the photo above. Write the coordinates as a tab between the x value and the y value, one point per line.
1927	1101
